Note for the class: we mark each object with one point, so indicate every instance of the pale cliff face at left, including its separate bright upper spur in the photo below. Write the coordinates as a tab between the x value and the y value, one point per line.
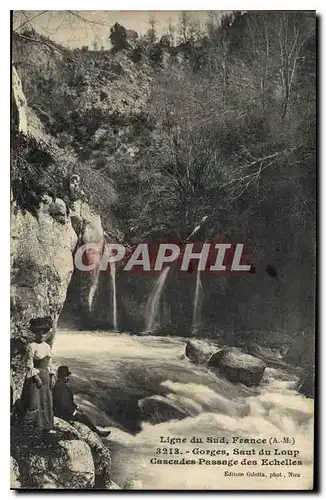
42	245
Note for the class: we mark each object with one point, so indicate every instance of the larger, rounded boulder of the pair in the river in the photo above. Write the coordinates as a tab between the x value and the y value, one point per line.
238	367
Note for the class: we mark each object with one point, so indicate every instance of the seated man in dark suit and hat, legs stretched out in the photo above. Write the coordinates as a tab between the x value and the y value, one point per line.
66	408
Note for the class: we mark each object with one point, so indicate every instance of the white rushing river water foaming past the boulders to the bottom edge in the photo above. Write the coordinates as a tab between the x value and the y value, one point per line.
114	375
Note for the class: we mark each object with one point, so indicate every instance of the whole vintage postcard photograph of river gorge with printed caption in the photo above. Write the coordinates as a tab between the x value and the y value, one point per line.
163	250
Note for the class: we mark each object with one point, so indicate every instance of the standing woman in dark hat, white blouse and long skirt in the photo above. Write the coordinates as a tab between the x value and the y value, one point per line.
36	406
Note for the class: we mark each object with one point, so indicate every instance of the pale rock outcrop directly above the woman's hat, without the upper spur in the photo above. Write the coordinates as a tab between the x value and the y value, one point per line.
41	268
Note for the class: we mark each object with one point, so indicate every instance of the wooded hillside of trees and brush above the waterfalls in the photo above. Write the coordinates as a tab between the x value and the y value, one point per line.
221	124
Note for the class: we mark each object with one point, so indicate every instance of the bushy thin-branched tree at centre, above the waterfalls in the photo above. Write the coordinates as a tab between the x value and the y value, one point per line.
179	168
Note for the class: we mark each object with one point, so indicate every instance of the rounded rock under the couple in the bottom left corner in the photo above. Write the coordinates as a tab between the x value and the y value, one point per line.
73	457
